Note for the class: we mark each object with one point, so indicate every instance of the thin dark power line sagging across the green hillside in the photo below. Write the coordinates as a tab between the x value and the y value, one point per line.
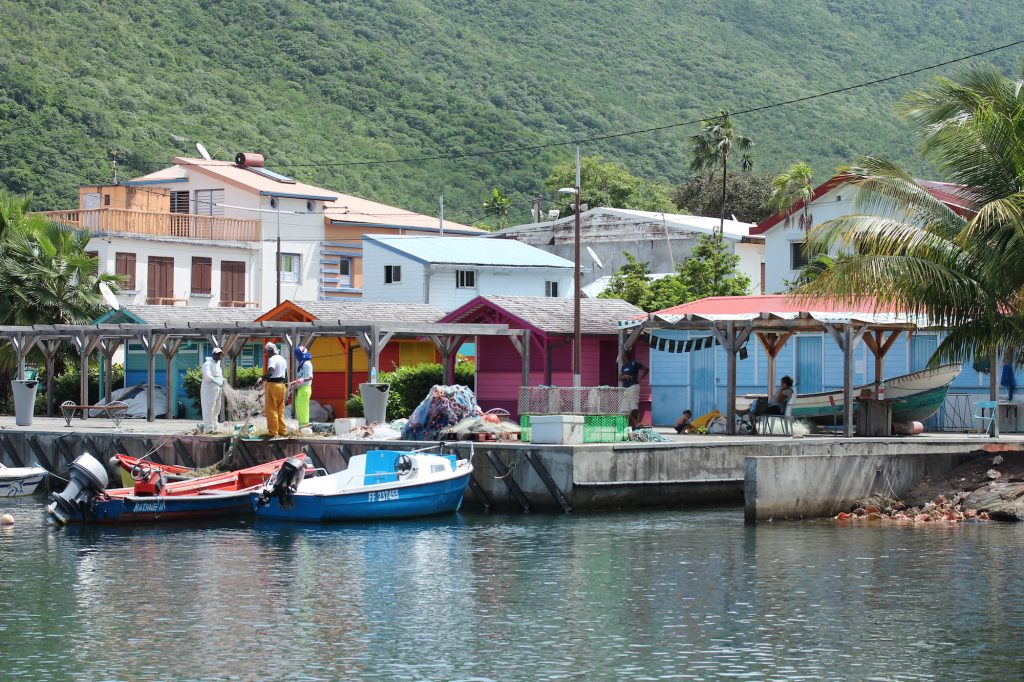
598	139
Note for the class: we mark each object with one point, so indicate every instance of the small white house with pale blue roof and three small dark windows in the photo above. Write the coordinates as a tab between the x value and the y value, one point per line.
450	272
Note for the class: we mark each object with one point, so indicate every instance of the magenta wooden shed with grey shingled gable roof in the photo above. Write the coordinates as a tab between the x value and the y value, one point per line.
550	323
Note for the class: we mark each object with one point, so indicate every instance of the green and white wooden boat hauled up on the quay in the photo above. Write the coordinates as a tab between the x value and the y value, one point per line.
914	397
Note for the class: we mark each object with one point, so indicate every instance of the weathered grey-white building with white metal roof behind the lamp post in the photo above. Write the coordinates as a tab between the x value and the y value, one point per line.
661	240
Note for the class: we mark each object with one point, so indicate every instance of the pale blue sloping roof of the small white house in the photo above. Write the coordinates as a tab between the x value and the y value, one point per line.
470	251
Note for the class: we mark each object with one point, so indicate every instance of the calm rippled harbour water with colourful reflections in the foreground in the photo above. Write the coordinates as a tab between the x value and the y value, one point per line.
627	596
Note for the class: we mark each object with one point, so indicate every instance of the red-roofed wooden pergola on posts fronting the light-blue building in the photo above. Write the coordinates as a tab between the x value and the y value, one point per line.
774	320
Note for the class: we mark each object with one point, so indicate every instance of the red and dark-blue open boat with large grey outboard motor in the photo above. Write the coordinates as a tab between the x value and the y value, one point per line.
88	500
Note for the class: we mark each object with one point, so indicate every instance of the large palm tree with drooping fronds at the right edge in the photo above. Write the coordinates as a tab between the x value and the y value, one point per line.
955	262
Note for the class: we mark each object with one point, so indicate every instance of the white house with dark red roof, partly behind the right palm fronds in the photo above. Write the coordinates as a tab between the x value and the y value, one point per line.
784	237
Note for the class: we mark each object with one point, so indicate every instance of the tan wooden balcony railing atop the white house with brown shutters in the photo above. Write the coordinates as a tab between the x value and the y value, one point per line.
183	226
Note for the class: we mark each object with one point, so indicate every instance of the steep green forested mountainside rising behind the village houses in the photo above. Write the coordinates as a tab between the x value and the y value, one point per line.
330	91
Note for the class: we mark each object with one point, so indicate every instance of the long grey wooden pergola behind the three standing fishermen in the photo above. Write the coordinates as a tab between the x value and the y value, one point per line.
167	339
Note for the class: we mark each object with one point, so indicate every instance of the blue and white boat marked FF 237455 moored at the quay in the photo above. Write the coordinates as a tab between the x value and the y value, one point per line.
379	485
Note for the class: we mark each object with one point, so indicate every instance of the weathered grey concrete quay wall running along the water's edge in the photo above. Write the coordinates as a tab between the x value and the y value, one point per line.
774	478
